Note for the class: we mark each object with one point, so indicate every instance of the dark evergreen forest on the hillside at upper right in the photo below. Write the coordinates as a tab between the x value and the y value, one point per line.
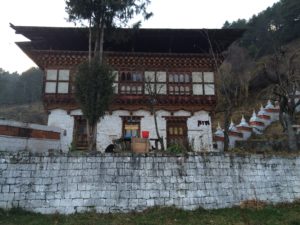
277	25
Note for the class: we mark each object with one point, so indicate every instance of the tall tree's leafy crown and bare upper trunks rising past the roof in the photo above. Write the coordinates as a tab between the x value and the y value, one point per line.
104	14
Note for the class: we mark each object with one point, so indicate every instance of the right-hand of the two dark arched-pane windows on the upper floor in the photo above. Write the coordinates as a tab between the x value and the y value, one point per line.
179	84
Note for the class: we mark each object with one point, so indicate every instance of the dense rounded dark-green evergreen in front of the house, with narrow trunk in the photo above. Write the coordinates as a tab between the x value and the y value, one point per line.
94	91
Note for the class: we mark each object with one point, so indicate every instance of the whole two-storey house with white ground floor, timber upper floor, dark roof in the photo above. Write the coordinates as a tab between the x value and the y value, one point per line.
178	60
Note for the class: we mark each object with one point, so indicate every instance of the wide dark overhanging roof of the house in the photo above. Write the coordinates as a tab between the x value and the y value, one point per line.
131	40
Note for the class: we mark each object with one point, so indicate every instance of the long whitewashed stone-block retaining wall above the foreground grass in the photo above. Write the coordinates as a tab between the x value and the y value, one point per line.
122	183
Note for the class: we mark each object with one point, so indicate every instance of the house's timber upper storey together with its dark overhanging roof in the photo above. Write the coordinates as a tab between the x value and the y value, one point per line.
176	64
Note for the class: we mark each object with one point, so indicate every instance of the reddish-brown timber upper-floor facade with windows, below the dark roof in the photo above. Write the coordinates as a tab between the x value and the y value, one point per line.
178	81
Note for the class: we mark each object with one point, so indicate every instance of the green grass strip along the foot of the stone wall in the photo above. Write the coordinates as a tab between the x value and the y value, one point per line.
286	214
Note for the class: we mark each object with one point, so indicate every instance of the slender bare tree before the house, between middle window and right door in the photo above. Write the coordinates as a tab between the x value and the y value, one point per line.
154	90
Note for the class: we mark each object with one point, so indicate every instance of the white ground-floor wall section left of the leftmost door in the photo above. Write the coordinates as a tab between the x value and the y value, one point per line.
61	119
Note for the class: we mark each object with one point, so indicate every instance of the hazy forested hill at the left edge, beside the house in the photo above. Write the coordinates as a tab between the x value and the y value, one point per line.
20	89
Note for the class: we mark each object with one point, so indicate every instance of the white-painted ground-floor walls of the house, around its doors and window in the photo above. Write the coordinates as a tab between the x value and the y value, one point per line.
110	127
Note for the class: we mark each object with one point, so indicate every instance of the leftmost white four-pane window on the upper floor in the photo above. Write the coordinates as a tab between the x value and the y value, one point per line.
57	81
